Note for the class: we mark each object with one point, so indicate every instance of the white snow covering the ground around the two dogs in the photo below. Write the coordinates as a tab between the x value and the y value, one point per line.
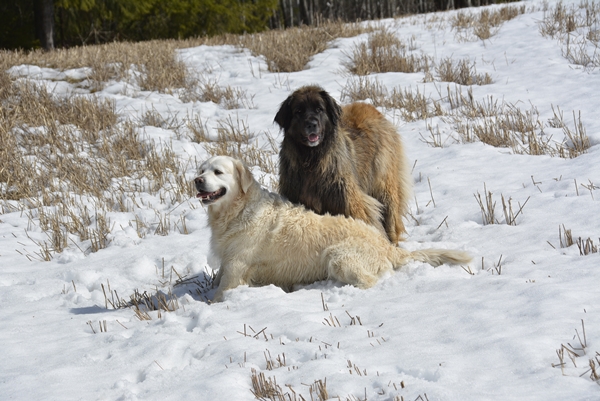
488	331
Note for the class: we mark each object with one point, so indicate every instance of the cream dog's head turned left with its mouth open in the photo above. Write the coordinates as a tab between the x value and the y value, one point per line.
222	179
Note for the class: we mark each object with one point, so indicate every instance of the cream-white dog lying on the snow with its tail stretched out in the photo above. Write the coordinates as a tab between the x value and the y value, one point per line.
263	239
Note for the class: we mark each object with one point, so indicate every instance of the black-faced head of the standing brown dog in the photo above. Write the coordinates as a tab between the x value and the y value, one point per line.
309	116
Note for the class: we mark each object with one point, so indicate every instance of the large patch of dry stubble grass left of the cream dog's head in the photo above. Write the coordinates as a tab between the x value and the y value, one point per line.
70	161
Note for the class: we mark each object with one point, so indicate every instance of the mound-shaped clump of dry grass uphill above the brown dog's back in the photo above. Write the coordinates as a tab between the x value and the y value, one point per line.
384	52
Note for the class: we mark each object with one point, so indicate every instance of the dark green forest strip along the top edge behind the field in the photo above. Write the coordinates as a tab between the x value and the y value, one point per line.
30	24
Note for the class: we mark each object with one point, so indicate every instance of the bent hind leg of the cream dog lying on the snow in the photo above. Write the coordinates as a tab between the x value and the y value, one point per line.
349	264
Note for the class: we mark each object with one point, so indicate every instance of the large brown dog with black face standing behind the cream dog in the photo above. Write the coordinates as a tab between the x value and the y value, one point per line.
343	160
